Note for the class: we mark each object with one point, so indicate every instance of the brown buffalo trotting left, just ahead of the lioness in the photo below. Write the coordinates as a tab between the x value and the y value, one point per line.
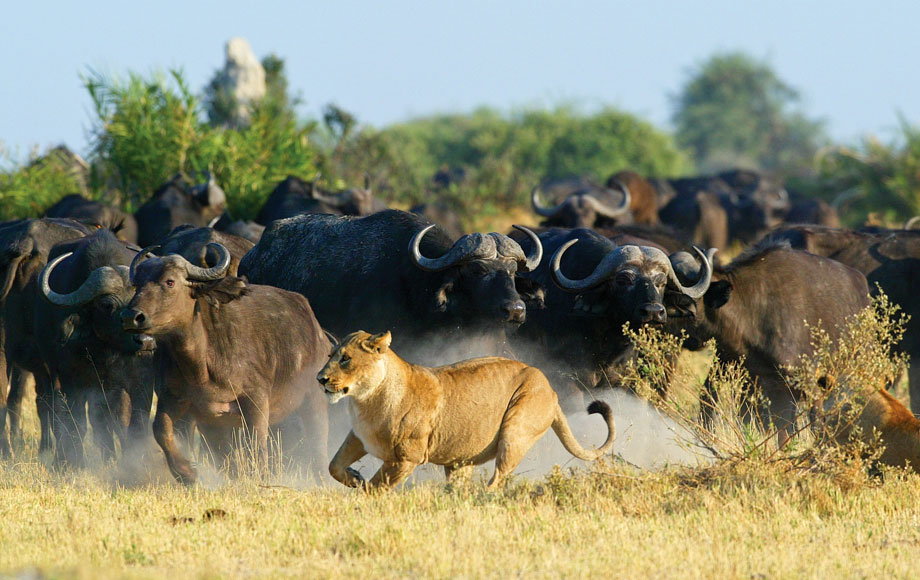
238	355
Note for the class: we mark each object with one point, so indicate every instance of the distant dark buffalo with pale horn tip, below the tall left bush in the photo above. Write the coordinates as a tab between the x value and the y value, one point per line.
176	203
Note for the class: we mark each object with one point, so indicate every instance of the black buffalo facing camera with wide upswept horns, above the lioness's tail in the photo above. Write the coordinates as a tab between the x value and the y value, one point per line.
592	288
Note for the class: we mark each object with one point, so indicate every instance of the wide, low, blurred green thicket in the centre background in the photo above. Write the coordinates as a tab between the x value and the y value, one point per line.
503	156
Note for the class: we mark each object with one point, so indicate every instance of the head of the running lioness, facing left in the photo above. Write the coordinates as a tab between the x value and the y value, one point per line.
356	366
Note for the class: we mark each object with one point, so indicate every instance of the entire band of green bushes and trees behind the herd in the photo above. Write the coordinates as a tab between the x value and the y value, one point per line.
146	129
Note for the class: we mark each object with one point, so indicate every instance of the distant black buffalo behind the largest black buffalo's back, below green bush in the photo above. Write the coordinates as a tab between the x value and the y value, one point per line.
294	196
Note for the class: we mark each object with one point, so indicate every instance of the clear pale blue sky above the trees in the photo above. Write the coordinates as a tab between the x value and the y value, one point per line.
856	64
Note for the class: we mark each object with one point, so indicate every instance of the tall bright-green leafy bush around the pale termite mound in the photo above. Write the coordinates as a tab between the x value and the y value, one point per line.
148	129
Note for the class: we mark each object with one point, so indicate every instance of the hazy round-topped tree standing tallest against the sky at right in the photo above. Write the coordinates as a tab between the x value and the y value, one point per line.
735	111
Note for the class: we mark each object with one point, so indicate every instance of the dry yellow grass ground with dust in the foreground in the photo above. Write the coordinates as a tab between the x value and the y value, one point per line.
753	516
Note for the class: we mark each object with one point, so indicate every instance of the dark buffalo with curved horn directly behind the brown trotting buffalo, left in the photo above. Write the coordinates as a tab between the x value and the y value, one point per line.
89	357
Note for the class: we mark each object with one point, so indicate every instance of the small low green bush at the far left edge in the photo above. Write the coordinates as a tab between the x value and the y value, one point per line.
28	190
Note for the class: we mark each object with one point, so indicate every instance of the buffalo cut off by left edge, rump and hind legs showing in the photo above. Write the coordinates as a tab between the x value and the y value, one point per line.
24	248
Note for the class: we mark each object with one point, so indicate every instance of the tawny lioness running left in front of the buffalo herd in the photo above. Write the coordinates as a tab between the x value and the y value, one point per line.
461	414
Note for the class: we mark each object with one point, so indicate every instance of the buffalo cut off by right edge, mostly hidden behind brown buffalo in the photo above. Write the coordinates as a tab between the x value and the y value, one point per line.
890	259
